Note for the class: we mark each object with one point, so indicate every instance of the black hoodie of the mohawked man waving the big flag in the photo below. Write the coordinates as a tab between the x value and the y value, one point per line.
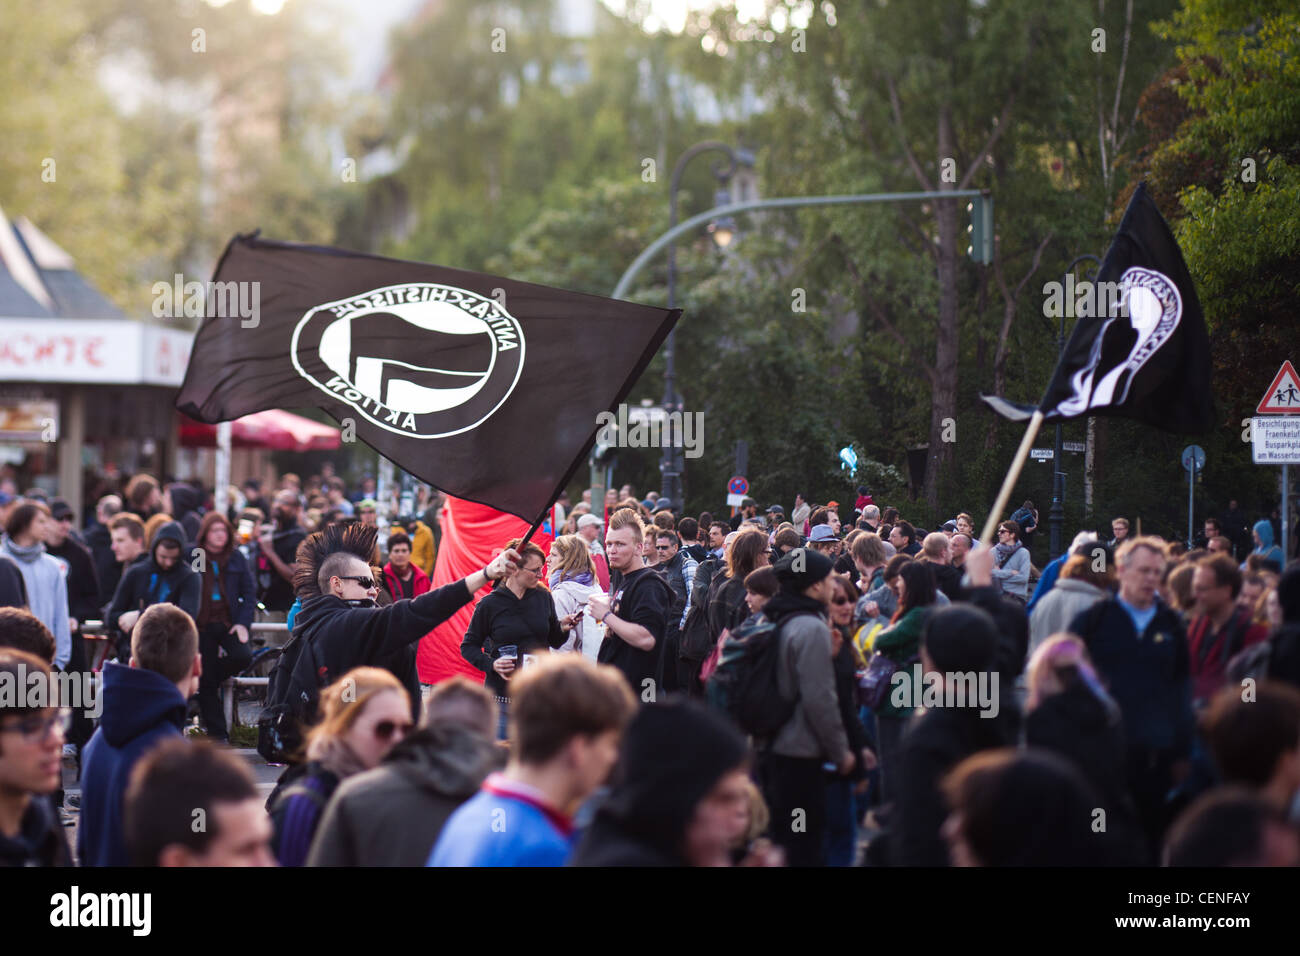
345	638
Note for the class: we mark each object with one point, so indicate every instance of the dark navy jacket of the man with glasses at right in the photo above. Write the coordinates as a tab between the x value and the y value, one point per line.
1149	676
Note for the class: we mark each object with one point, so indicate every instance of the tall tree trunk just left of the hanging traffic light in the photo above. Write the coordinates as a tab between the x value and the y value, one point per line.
947	217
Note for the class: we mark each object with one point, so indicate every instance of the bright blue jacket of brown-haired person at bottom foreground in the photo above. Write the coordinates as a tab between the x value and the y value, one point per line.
495	828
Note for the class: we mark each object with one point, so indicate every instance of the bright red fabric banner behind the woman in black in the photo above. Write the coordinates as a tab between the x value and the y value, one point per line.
473	535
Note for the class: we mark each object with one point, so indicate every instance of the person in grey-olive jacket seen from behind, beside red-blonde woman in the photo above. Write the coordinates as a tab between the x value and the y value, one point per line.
392	816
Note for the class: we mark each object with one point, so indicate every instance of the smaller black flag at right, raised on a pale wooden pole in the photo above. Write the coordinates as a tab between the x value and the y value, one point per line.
1150	357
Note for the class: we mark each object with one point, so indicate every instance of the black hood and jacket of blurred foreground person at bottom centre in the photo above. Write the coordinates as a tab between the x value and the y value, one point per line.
673	756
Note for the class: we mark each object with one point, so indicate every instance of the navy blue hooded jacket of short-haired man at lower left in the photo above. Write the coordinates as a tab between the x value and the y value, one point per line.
141	710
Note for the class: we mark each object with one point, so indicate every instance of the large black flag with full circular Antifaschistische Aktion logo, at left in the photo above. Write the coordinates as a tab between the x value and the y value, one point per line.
483	387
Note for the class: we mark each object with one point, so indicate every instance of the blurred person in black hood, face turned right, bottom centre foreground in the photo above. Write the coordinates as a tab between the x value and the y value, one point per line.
678	793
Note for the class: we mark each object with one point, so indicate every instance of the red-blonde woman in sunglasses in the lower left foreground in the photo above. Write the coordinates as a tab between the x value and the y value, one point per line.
365	715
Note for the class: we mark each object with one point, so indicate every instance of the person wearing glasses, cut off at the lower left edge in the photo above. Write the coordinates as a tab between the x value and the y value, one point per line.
32	742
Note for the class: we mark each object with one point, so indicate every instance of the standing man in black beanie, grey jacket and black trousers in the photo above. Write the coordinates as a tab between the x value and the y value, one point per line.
791	767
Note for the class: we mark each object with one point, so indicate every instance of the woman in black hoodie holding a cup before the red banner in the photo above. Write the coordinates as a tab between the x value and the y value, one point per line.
515	621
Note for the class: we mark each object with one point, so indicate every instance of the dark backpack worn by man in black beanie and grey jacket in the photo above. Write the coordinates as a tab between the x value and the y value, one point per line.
746	685
